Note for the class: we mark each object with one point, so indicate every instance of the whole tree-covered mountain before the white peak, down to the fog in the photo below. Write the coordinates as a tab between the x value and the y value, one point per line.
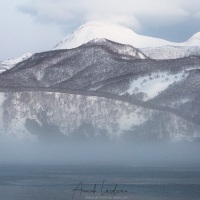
101	89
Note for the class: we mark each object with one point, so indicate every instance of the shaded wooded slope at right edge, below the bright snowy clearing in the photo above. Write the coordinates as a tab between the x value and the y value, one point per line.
183	95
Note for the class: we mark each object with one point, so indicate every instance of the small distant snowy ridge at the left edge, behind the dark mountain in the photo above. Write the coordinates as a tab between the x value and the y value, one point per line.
9	63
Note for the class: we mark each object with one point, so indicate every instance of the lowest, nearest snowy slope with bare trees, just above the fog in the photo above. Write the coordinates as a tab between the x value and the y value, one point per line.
54	115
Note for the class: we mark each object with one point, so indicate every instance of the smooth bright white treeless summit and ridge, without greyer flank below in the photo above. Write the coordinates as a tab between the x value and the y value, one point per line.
119	34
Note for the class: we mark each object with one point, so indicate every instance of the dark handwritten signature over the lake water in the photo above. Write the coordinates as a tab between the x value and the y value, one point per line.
79	189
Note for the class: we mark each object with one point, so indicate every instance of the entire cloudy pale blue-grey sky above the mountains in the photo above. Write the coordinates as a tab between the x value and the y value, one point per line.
37	25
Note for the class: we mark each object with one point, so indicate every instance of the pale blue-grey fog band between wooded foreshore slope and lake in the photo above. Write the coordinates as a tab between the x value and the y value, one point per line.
15	151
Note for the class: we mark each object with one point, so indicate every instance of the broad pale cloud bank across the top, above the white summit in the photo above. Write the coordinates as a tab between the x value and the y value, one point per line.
126	12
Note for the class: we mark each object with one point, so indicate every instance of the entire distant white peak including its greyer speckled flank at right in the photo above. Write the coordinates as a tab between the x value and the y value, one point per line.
154	48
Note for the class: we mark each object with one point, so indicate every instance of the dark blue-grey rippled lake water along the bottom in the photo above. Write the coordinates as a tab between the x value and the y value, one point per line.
26	182
